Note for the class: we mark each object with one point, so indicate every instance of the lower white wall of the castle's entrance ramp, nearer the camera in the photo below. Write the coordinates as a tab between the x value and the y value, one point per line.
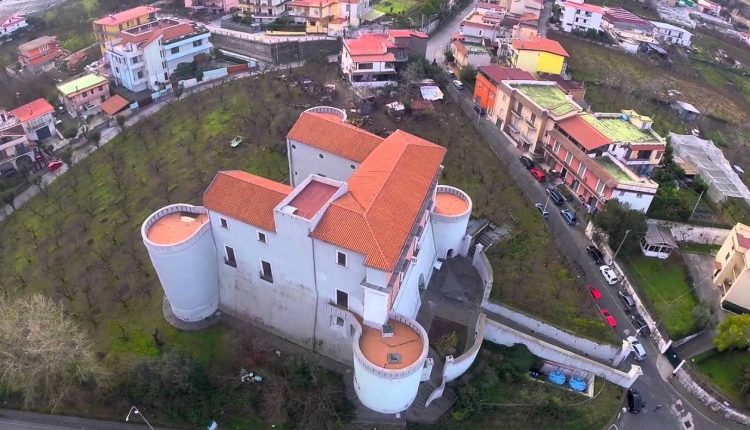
503	335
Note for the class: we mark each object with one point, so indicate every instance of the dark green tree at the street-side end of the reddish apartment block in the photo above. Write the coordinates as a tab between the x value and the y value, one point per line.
616	219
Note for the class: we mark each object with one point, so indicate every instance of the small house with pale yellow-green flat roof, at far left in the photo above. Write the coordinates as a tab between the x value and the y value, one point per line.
84	95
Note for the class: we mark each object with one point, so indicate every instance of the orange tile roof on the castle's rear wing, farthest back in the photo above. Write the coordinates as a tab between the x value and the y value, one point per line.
332	135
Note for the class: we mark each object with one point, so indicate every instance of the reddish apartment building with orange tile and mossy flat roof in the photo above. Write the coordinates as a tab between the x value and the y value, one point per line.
585	160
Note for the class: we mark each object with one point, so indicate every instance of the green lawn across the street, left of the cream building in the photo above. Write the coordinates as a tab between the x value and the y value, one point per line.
664	285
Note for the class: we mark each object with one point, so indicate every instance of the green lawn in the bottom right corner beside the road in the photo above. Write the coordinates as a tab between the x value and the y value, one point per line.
722	369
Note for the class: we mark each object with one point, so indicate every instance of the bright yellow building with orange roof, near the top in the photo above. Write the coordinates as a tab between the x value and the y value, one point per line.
538	55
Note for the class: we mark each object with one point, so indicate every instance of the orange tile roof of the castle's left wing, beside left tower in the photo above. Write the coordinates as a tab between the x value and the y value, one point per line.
245	197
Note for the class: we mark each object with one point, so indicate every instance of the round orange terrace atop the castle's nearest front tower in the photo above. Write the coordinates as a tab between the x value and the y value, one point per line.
396	352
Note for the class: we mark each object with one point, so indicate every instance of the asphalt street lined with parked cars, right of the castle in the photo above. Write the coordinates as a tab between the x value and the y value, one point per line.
655	389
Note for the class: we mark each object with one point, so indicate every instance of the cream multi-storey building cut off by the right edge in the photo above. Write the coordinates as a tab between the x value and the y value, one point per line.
731	270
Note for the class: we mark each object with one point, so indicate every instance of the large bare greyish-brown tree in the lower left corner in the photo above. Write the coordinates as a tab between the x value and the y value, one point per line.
45	355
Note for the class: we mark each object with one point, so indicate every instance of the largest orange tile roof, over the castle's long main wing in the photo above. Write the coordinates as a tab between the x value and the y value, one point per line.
386	193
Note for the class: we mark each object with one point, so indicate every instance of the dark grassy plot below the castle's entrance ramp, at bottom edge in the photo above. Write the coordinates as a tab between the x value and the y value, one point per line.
497	397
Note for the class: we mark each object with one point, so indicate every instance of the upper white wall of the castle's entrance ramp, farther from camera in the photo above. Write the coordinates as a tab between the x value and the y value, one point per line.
588	347
